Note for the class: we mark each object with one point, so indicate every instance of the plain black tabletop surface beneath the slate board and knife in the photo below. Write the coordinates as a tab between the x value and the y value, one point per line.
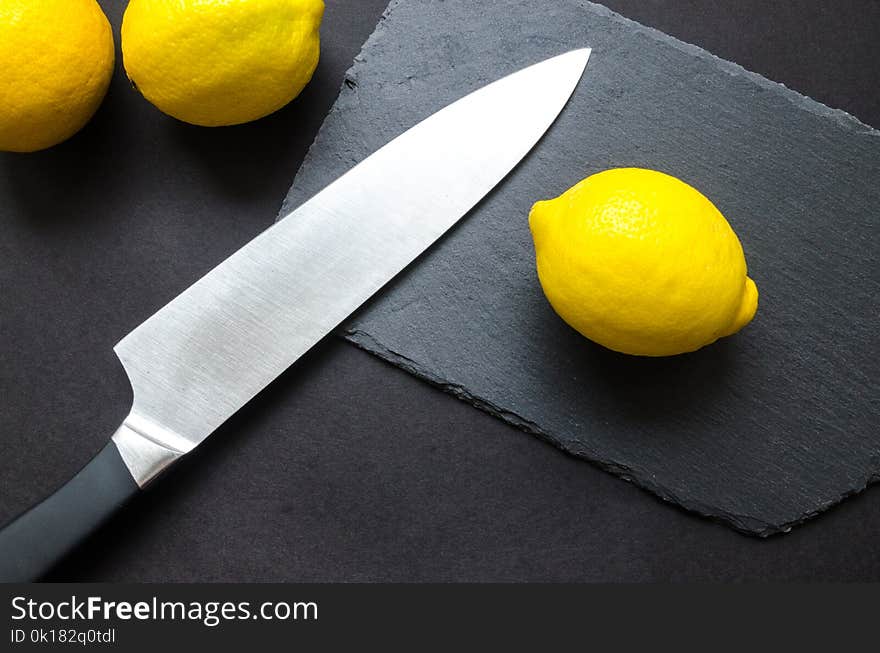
346	468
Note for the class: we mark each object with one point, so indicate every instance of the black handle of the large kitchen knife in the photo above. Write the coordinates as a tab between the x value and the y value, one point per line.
35	540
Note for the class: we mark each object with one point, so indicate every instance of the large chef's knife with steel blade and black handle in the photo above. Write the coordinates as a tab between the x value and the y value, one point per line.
216	345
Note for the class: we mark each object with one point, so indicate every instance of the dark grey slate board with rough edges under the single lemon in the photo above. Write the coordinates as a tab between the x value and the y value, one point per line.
762	430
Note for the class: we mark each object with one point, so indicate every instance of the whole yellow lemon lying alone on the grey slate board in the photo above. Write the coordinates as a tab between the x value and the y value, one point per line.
642	263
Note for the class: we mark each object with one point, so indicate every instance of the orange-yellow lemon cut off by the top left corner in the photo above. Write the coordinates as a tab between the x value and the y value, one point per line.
56	61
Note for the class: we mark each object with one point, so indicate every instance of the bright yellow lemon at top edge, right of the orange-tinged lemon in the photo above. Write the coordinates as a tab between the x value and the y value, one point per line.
221	62
